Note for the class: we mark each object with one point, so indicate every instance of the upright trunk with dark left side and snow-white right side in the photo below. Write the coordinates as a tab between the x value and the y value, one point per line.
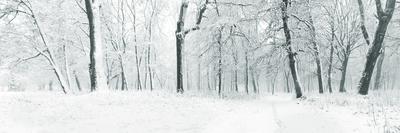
97	75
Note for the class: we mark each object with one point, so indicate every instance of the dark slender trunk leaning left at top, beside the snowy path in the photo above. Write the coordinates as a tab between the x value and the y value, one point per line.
291	54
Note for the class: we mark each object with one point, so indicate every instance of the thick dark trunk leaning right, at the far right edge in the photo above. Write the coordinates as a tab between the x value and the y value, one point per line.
384	17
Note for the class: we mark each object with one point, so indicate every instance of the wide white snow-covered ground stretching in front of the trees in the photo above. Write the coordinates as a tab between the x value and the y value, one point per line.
158	112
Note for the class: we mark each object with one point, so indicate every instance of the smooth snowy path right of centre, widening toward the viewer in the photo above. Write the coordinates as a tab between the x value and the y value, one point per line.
275	115
